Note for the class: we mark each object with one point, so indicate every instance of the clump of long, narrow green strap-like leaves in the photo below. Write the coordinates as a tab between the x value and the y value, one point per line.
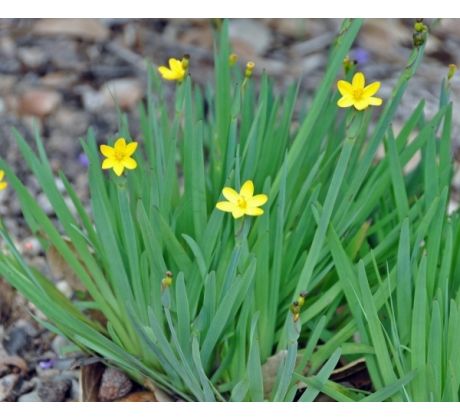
354	257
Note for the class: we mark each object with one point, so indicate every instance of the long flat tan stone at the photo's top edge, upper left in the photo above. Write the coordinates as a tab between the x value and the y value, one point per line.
87	29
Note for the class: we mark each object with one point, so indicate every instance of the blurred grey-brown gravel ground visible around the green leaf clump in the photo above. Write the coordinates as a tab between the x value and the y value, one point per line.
60	77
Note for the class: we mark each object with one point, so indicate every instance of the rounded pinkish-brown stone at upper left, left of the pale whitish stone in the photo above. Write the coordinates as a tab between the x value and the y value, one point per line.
39	102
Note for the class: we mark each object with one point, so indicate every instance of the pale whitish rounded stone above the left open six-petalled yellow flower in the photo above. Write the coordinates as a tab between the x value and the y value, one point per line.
124	92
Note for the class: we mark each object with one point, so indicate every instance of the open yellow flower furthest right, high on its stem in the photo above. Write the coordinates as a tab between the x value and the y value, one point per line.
357	94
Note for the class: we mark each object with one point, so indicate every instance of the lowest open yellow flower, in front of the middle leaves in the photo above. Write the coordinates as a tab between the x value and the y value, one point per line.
244	202
